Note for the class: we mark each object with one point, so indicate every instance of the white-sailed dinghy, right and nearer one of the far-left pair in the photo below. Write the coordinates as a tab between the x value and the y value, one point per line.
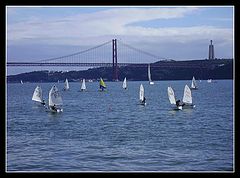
55	100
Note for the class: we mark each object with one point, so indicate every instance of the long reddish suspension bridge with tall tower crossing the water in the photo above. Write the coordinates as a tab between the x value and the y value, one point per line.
111	54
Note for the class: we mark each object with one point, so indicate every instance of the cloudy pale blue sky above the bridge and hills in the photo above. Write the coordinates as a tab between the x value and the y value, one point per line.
173	32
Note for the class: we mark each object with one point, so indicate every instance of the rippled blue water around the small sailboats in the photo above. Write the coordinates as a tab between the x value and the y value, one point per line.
110	131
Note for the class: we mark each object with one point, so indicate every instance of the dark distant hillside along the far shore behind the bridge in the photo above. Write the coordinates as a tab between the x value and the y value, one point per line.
217	69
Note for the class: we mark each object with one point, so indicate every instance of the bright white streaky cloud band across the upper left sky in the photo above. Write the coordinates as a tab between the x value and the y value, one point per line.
109	22
